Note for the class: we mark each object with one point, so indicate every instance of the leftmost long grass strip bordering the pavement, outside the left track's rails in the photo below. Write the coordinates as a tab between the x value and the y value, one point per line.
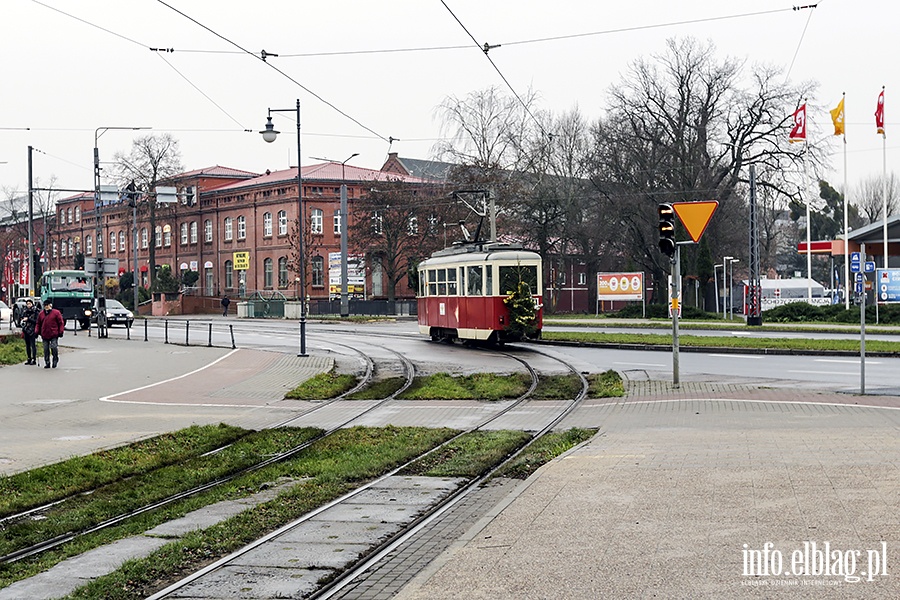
51	483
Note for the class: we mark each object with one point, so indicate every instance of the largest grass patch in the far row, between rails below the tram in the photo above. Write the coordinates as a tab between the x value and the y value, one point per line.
479	386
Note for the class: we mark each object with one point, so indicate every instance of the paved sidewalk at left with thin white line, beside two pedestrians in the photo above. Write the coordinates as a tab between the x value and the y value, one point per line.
109	392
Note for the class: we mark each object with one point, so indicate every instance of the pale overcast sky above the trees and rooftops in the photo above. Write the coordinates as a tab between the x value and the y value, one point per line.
66	75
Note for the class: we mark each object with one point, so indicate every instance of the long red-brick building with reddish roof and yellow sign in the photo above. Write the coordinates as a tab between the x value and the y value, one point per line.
221	212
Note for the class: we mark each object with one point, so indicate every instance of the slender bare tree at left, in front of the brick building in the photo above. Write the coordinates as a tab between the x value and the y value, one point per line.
153	160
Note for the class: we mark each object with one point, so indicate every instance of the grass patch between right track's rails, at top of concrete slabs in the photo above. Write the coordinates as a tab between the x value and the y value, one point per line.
469	455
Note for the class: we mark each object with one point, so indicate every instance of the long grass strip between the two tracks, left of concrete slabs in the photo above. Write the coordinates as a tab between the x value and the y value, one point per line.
334	466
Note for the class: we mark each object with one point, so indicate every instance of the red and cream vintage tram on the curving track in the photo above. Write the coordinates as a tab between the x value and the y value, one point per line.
462	289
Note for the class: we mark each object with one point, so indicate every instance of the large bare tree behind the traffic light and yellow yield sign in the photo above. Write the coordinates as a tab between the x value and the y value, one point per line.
683	126
